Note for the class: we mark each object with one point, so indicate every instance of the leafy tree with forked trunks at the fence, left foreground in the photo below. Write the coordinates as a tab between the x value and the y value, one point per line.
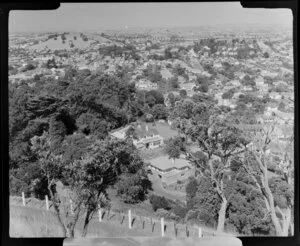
86	179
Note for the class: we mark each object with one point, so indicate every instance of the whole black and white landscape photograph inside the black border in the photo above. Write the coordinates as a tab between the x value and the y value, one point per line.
154	120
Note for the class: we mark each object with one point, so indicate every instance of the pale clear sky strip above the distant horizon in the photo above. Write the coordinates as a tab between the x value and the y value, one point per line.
103	16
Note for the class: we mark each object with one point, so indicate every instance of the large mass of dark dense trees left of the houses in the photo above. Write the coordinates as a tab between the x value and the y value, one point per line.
81	102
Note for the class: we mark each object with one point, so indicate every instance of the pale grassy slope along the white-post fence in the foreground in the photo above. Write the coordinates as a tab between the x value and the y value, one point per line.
35	221
